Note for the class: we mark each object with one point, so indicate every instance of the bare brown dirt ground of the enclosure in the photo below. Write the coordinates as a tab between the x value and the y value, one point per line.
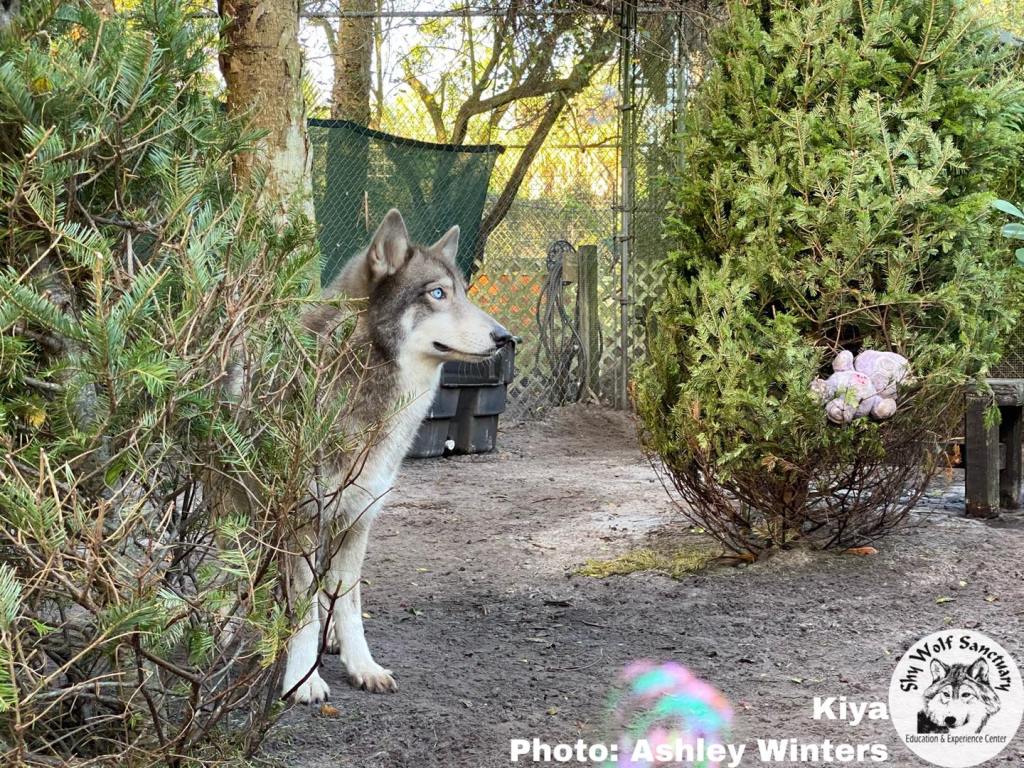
474	602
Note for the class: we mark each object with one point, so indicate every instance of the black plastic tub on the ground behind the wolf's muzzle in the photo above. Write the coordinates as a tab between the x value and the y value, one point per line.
463	418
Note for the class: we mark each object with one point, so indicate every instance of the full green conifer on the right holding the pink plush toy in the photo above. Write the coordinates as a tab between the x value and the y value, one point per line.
838	166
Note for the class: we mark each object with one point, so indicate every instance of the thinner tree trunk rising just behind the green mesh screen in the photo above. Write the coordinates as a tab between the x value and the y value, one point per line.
351	93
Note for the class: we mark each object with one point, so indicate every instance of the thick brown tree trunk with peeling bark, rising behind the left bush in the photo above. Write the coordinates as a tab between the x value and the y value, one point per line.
263	67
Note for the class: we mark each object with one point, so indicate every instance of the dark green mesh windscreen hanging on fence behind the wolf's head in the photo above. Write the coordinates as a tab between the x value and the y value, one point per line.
360	174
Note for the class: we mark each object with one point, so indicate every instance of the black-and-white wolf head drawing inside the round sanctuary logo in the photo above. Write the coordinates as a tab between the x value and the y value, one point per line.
960	699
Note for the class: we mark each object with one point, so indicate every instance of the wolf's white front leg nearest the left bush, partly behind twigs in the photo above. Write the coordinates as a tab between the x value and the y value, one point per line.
302	676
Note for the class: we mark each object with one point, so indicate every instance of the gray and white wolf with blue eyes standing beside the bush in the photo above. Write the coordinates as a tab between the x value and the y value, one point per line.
417	317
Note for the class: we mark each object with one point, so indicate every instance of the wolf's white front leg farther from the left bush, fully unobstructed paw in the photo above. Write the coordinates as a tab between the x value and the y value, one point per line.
344	604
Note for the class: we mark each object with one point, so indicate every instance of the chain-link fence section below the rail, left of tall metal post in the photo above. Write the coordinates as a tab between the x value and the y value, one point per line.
568	197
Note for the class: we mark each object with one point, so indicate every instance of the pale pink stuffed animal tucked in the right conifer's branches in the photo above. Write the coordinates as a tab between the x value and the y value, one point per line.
866	387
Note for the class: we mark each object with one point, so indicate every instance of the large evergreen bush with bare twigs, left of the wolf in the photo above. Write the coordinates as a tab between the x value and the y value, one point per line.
137	281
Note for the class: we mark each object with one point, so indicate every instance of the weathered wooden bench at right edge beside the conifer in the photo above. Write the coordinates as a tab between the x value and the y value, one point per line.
993	454
